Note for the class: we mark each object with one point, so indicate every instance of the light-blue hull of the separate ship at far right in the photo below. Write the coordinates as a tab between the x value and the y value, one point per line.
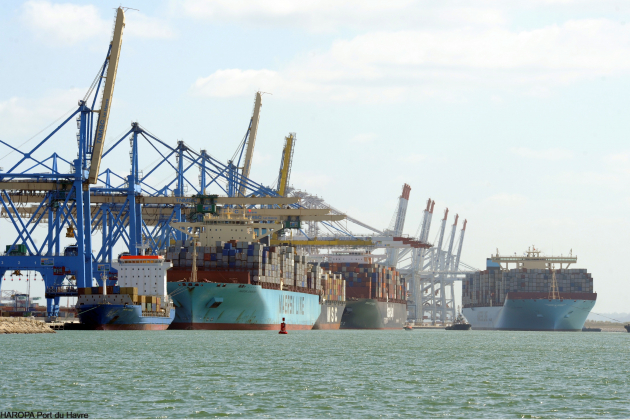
533	312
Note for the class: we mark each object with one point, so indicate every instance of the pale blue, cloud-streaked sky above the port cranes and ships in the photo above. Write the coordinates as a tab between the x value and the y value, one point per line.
511	114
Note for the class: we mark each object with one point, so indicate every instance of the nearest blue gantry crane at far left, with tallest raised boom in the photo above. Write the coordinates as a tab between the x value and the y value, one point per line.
64	198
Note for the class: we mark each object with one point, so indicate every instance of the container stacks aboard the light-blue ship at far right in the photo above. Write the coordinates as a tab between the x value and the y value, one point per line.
490	287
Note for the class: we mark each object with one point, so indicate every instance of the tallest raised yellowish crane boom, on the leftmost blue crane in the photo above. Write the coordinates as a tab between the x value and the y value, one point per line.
108	92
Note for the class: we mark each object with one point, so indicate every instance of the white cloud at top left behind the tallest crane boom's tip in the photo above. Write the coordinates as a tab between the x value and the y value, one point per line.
69	23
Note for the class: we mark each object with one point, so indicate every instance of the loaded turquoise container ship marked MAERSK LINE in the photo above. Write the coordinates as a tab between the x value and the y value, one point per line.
242	284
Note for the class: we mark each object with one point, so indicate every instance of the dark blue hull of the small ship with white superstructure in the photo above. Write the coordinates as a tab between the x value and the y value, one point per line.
121	317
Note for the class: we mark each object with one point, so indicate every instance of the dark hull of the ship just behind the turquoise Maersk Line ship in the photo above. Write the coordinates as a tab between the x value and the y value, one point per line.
374	315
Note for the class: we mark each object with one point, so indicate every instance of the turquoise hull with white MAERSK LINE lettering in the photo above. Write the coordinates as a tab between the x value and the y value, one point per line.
234	306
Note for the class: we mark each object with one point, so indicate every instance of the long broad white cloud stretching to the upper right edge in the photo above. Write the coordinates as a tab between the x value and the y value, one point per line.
397	65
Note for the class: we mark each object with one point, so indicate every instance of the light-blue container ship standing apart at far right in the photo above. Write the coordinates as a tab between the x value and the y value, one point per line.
533	296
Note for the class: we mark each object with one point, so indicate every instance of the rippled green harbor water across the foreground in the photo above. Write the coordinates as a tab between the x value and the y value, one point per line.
317	374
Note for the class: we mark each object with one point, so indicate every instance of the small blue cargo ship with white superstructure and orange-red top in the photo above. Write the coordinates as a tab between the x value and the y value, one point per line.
138	302
